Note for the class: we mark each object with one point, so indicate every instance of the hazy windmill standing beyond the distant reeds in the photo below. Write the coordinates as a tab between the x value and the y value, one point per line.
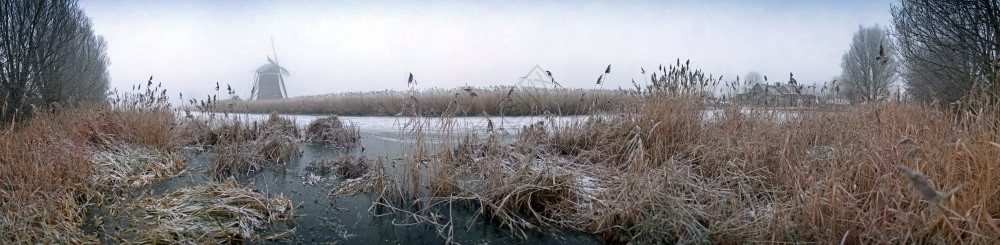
269	81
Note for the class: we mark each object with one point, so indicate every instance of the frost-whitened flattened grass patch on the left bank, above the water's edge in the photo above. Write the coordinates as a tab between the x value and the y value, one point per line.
132	166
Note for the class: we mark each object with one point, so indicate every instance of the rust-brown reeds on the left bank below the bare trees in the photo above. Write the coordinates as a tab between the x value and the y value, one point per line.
54	161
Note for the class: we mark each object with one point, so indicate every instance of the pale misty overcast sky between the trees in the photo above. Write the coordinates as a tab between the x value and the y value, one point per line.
338	46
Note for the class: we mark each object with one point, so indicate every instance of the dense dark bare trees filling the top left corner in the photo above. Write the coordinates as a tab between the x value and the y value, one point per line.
48	54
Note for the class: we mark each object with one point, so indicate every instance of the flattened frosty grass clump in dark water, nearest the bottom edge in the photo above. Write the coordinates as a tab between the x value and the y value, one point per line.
216	213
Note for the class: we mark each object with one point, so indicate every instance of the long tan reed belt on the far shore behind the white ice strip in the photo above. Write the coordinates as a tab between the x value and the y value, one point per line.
467	101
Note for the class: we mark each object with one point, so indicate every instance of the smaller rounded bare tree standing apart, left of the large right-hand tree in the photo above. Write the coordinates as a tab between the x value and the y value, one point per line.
868	66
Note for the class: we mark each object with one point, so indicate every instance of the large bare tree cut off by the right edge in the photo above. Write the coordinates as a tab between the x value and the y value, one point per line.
948	46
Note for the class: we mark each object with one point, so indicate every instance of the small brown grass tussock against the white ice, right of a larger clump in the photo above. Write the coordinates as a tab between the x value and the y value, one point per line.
332	131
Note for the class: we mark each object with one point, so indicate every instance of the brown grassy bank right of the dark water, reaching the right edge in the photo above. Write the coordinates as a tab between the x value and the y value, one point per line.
889	172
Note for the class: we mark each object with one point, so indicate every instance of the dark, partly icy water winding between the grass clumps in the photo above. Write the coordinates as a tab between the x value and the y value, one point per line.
347	220
